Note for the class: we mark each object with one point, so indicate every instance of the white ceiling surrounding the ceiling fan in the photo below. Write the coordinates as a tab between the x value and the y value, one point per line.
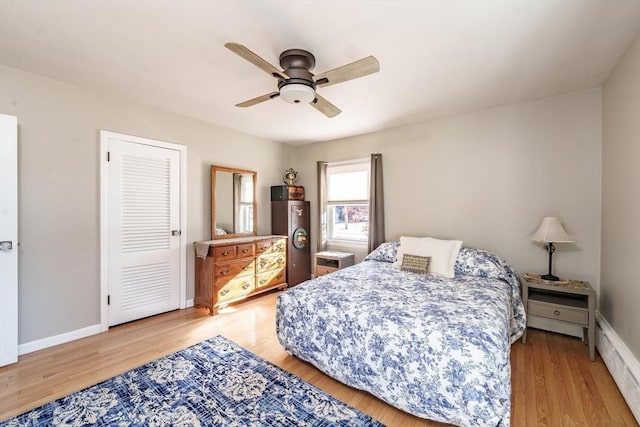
436	57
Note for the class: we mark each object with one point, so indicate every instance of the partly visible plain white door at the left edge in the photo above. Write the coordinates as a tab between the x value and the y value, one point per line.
8	239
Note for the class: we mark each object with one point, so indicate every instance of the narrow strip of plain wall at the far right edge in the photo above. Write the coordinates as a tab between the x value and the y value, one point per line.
620	296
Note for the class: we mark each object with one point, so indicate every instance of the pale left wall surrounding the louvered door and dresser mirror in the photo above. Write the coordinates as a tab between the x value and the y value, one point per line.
59	189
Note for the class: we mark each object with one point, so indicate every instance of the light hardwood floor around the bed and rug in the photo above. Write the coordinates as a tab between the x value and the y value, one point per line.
554	383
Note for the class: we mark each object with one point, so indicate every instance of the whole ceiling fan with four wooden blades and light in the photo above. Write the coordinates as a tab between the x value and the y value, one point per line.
296	83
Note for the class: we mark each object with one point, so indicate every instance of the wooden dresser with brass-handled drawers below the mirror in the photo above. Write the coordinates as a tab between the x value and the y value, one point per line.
237	268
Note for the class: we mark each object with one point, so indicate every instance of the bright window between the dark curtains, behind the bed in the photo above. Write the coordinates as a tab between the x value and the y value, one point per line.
347	206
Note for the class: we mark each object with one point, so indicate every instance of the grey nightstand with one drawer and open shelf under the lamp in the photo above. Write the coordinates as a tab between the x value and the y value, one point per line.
560	307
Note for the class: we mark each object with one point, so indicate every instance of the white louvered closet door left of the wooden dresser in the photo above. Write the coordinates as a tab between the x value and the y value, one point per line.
144	256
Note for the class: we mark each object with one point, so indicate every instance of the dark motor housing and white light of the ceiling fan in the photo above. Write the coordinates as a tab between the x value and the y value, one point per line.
299	87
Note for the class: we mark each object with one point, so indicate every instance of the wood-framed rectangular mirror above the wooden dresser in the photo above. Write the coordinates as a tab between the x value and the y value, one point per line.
233	202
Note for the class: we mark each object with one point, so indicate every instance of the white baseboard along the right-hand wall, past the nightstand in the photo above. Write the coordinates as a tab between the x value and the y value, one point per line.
622	364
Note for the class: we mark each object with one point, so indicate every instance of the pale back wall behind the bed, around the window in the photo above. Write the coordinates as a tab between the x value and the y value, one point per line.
489	177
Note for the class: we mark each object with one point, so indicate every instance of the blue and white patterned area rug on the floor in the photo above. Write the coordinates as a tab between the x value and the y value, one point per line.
214	383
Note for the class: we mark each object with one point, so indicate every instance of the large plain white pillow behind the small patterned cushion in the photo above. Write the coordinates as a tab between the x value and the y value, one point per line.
443	253
